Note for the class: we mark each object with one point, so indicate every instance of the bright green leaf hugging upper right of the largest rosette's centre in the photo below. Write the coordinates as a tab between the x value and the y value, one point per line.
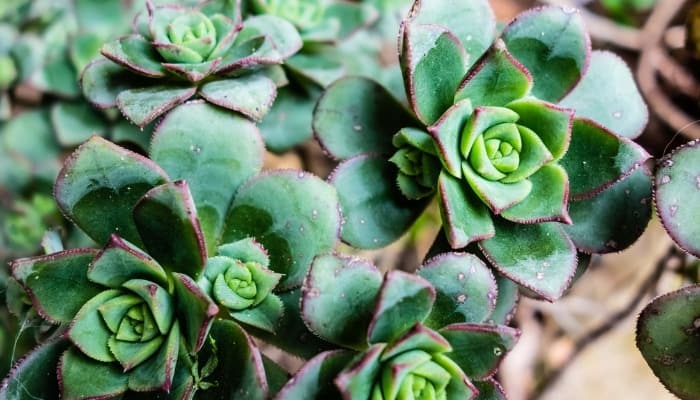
551	123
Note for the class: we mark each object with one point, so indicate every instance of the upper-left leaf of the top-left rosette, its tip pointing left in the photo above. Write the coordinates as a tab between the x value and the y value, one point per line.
135	53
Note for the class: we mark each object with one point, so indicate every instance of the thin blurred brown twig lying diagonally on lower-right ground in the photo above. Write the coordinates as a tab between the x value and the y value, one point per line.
611	322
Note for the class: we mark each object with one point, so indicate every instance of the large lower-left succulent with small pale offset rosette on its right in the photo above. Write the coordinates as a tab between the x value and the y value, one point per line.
135	317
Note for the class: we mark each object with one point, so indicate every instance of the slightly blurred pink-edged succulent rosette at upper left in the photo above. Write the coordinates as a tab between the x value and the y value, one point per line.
177	52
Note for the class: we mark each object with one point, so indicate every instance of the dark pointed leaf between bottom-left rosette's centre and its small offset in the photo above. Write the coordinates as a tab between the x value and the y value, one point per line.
195	311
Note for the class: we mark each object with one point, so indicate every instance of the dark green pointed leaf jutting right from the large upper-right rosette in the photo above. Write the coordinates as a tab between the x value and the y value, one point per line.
591	172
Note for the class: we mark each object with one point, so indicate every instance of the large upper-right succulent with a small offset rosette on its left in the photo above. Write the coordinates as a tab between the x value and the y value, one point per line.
522	140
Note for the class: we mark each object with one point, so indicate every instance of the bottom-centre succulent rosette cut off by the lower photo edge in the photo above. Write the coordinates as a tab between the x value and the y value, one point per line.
422	336
